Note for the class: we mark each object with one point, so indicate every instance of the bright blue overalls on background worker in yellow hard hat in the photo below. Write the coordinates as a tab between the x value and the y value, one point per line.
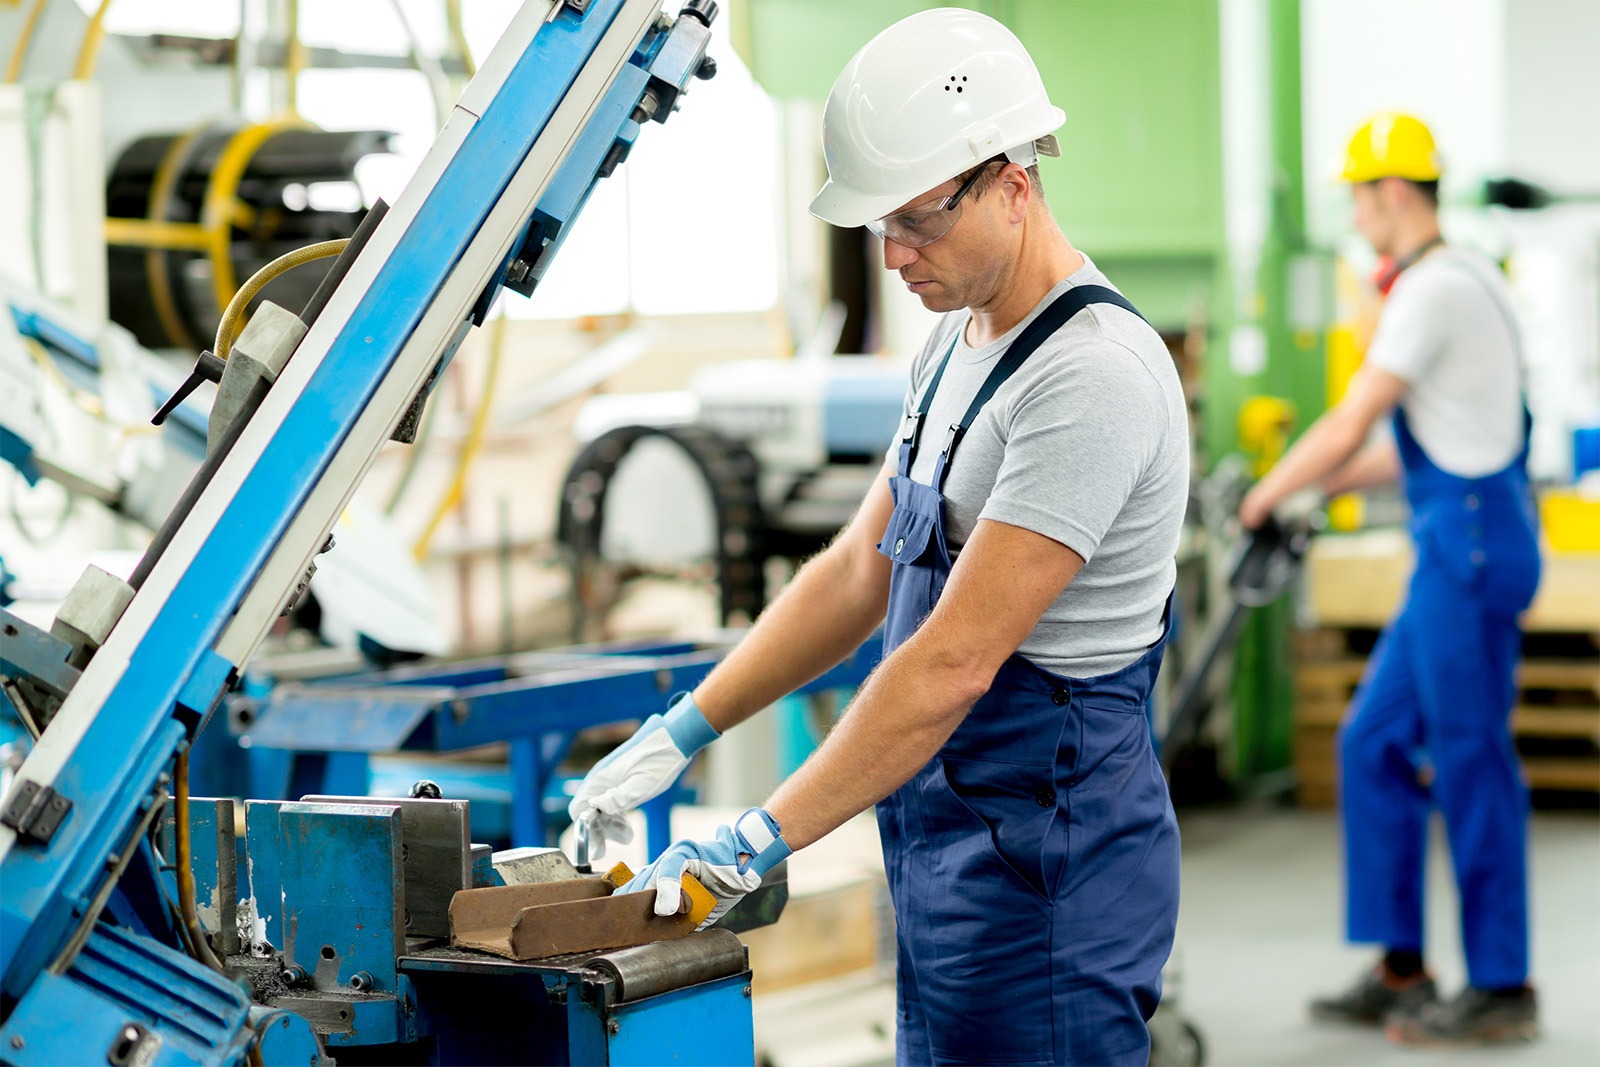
1439	692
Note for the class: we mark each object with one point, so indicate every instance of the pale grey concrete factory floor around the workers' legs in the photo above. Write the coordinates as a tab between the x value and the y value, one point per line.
1262	933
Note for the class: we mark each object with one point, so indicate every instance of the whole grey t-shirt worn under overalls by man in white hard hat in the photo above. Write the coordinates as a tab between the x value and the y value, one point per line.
1089	446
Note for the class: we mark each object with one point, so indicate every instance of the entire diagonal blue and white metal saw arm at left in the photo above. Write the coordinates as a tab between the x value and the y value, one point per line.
553	110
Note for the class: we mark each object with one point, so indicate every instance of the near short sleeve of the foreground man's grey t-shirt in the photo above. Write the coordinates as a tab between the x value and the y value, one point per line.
1078	446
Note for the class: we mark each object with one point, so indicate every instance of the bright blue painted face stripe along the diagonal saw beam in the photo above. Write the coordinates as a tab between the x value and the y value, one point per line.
129	745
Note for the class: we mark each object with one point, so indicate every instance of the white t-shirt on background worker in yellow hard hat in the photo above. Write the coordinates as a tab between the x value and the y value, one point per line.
1449	334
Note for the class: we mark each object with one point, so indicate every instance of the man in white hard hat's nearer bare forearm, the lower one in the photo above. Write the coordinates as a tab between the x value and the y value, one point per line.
898	722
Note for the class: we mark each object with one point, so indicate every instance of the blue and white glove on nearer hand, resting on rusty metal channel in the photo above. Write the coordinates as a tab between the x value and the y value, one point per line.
729	866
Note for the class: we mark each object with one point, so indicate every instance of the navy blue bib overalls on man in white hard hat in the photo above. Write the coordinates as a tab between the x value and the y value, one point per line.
1034	861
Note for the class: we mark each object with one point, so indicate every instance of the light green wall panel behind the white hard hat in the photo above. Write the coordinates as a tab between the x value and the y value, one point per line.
1142	169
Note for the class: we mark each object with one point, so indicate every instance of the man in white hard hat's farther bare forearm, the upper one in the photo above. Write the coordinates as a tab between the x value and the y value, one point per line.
823	617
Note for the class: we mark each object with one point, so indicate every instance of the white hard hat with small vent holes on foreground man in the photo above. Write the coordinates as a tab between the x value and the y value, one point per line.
929	98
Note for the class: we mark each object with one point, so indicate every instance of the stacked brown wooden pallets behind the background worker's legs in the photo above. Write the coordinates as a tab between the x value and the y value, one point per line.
1556	721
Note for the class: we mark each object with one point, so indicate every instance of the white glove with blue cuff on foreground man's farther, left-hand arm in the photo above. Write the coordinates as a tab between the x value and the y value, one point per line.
641	769
